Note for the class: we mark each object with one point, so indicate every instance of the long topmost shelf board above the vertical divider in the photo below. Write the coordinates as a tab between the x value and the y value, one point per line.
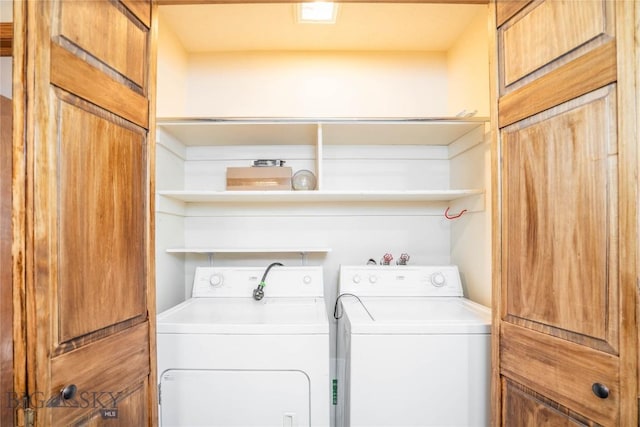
418	131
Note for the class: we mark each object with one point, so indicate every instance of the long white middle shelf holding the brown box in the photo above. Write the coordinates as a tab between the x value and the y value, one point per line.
325	196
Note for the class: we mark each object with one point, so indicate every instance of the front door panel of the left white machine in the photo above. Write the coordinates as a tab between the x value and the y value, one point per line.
241	398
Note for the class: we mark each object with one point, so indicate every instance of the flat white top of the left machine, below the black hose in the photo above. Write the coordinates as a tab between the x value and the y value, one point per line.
246	316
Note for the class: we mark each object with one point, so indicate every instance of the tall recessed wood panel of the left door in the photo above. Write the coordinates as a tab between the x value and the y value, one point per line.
101	166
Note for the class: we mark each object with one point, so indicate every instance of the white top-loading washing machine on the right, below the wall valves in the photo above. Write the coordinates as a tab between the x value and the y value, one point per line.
412	351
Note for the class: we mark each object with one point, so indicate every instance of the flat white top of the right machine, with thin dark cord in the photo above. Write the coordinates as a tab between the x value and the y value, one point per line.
423	315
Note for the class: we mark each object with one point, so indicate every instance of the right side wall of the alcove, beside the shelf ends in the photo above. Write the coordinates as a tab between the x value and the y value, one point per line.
468	70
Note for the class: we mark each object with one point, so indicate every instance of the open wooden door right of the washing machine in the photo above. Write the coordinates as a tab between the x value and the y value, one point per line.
566	339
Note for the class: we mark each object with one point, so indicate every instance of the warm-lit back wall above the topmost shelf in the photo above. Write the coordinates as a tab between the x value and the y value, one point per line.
319	84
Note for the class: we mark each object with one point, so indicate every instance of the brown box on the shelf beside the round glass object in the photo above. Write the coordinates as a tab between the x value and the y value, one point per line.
259	178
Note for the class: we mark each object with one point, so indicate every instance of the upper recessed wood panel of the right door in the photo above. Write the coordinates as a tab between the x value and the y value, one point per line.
548	31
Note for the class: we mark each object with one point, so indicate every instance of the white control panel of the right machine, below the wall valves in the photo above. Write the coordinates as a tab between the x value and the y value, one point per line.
373	280
